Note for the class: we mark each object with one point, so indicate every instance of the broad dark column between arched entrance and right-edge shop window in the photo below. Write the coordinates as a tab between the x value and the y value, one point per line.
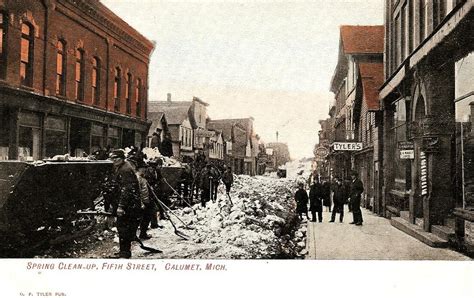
438	131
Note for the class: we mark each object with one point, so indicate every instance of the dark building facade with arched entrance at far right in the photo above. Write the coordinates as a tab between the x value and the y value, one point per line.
427	101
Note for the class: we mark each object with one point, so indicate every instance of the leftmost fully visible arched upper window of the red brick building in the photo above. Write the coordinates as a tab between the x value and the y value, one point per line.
26	59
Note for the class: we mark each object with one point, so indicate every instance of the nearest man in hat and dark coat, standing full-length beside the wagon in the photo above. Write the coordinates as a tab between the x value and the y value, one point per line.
129	204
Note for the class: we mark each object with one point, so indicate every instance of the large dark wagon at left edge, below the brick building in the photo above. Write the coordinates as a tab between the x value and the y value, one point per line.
33	195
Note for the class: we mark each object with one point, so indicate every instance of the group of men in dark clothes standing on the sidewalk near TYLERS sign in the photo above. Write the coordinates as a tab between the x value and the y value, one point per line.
341	194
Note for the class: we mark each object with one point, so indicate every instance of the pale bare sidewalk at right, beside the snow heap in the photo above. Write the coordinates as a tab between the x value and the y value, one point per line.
376	239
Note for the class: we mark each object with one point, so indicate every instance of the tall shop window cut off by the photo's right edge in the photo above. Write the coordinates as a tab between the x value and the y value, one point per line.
464	110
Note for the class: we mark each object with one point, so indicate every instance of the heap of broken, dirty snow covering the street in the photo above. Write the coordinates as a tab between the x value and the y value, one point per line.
261	223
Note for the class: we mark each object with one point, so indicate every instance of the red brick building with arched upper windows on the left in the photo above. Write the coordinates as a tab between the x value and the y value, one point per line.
73	78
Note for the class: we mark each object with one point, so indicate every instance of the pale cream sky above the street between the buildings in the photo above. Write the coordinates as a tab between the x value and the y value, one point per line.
271	60
